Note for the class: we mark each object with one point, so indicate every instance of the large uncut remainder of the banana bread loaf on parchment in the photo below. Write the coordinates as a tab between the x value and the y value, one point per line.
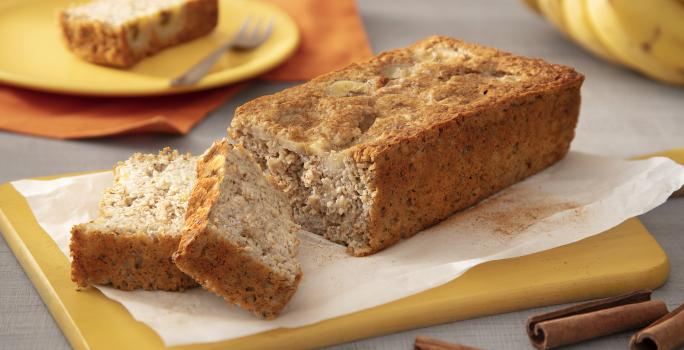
377	151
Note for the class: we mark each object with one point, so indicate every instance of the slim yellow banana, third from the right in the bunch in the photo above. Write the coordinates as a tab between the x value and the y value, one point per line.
576	22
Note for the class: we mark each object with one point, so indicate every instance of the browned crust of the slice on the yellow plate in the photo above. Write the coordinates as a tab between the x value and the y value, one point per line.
105	44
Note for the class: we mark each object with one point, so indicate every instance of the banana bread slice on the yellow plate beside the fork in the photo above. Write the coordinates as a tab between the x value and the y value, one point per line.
120	33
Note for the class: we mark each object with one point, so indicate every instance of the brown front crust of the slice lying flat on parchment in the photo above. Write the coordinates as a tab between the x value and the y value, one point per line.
125	261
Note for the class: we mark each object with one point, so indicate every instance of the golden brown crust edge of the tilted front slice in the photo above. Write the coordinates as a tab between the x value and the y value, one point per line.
217	264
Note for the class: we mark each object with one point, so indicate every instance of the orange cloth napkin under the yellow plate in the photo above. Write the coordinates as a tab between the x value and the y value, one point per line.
332	37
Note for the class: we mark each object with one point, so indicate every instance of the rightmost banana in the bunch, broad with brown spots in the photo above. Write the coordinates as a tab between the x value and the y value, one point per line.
658	25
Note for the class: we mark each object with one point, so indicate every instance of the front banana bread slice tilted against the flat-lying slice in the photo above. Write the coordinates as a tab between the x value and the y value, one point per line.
239	239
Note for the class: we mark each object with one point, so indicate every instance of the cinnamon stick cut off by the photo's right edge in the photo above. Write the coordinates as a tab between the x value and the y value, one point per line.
664	334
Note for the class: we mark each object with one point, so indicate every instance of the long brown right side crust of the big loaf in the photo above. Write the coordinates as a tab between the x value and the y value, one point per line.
423	179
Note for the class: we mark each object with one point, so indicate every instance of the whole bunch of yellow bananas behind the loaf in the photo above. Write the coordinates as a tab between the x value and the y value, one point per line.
645	35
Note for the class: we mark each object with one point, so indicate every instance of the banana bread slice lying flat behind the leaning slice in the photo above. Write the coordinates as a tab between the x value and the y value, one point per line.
141	216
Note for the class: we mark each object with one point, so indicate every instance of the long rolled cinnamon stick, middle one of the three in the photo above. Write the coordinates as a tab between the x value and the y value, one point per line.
594	319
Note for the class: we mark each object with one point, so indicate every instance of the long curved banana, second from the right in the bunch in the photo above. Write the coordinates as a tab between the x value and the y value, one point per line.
611	32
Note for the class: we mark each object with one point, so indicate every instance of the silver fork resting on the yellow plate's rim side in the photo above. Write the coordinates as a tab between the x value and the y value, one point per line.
245	39
